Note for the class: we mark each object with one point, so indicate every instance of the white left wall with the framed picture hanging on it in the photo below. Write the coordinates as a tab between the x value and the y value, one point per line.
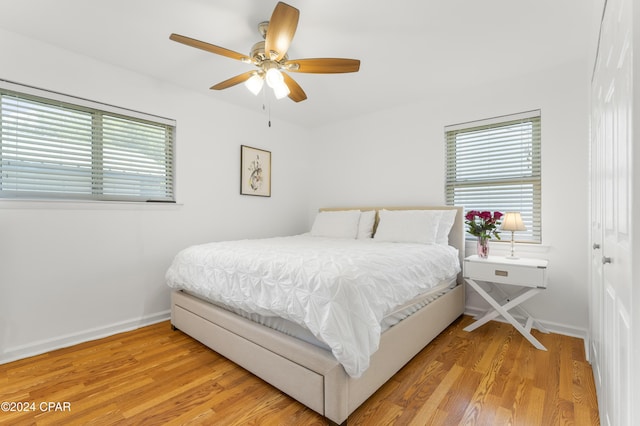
74	271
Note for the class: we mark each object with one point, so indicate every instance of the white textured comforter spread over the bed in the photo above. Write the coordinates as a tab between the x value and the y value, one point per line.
337	288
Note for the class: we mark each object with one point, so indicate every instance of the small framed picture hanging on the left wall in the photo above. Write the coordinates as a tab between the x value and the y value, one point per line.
255	171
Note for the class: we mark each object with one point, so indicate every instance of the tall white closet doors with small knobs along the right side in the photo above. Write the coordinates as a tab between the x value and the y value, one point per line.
610	278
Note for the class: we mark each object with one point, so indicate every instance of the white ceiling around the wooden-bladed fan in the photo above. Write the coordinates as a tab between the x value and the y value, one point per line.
408	49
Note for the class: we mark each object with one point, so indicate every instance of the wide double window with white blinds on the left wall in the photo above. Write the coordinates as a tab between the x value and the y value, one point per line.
56	146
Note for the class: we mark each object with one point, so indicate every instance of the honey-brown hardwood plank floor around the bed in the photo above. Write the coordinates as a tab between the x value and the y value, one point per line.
154	376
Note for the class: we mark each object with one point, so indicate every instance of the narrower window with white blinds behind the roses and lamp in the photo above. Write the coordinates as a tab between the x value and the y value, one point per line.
495	165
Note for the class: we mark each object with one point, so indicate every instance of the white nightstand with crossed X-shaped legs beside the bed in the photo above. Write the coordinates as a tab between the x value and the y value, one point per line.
528	274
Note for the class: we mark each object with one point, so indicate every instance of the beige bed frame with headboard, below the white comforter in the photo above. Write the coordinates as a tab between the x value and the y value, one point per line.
306	372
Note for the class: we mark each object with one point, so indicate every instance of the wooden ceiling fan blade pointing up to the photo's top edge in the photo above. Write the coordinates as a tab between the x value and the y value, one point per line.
282	27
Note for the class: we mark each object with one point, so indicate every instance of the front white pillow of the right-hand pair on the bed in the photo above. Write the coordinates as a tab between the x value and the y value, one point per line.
408	226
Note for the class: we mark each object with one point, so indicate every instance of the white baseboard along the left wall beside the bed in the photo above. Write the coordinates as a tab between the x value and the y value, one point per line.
47	345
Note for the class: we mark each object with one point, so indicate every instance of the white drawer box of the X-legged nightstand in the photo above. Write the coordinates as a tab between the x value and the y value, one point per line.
504	273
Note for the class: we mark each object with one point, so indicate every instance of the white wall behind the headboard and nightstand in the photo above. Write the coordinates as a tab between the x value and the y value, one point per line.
396	157
